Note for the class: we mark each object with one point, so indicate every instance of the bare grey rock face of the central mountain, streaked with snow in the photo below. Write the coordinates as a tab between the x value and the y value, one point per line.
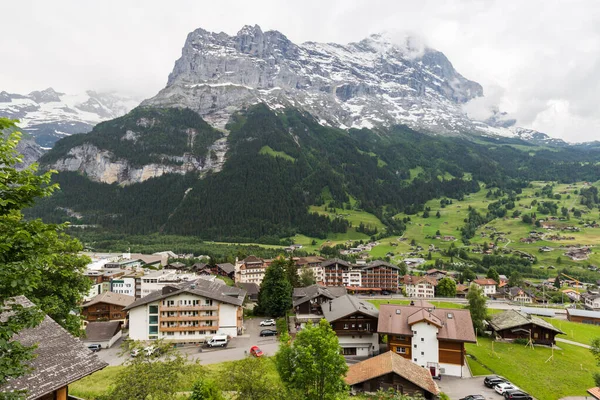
370	83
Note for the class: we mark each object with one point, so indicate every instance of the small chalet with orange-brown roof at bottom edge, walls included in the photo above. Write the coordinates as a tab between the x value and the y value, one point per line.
391	371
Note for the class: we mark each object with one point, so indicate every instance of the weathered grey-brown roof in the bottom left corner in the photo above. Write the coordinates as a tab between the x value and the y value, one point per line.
60	359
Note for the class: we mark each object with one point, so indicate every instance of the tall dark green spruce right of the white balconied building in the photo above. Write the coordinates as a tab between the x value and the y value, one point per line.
275	296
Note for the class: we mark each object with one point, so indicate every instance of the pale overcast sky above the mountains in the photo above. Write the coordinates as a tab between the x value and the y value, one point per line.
537	60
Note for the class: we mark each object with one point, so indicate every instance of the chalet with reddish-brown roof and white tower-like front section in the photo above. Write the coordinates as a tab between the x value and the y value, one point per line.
432	338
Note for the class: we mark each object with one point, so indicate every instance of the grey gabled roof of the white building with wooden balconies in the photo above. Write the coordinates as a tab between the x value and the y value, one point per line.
216	290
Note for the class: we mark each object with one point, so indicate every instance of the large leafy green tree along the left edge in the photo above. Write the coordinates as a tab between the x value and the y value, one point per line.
37	260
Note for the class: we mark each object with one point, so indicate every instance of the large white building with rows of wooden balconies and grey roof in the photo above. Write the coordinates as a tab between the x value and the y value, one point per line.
188	313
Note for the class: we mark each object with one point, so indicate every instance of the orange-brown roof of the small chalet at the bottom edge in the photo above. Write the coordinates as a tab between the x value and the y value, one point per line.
391	362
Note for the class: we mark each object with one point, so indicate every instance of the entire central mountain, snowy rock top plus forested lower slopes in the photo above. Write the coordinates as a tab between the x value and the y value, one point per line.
252	132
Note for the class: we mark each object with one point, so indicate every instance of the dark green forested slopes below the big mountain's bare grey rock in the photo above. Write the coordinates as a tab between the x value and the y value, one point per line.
280	164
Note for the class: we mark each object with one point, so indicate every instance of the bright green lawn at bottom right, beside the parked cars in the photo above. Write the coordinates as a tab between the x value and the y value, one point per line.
529	370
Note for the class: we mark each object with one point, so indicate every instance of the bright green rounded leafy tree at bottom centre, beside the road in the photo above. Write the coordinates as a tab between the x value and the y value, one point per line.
312	364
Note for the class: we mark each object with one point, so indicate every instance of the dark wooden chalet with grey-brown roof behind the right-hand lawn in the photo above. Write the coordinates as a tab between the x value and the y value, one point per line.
513	324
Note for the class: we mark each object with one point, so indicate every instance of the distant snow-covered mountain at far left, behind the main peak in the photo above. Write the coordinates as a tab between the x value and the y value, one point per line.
48	115
